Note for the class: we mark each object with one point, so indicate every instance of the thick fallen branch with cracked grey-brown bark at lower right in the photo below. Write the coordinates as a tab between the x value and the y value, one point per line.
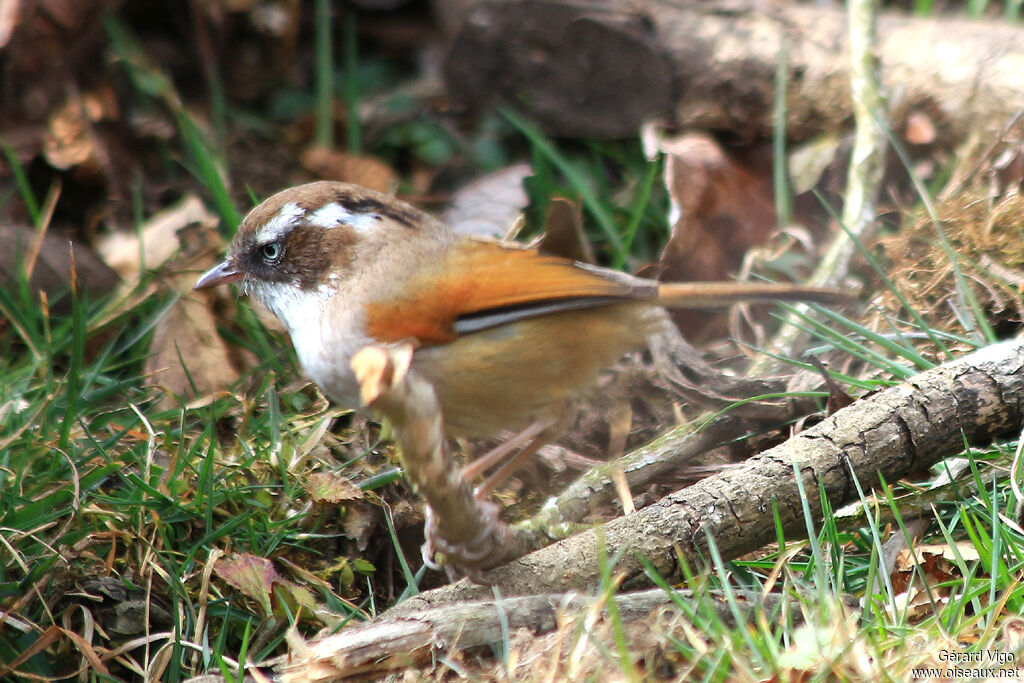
891	435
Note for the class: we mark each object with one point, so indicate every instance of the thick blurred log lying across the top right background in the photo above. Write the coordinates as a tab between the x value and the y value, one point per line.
603	68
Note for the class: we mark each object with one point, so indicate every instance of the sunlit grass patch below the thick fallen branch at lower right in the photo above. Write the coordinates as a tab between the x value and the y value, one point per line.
817	635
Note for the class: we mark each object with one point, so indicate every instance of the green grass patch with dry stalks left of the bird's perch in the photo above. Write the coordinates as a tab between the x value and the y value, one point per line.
100	481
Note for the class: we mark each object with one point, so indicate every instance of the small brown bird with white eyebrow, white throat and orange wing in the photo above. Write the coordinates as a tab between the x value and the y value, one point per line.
508	336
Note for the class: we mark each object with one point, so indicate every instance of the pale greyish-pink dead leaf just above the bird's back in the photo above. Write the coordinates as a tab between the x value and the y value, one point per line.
490	206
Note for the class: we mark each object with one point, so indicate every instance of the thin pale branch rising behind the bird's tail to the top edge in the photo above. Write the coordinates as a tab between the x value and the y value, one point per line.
701	385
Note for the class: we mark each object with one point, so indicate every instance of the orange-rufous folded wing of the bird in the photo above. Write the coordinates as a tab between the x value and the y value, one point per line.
480	276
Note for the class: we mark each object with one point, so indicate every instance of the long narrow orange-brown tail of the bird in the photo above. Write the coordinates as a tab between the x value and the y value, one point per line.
715	295
